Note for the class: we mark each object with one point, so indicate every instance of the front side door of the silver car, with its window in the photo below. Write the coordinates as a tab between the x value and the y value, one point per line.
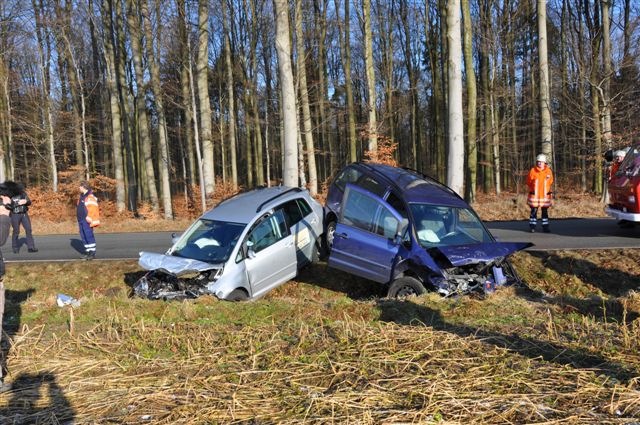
271	258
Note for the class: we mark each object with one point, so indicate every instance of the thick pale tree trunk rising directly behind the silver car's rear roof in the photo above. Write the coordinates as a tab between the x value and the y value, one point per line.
289	111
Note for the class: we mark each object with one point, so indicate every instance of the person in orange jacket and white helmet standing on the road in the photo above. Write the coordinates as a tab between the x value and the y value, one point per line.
539	181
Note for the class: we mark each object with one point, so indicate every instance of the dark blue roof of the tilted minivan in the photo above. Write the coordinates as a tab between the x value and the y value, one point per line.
416	187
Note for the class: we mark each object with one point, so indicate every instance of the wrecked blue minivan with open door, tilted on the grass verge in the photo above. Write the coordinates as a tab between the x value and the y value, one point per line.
411	233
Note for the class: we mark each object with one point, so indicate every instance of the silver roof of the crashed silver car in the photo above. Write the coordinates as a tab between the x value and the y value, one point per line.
243	207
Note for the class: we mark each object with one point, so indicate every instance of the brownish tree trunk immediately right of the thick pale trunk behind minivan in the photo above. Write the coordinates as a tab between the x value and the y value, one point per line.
472	94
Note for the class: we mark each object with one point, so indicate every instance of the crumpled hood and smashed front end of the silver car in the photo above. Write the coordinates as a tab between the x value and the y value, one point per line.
174	278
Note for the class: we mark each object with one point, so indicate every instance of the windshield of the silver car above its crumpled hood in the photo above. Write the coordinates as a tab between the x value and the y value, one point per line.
209	240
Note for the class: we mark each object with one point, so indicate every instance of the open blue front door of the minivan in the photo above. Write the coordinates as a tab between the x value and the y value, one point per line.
365	242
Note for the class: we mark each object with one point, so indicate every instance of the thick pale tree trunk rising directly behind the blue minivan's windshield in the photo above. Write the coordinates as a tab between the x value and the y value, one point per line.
455	161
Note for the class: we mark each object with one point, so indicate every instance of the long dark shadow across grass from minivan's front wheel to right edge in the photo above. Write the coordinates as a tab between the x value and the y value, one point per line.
410	314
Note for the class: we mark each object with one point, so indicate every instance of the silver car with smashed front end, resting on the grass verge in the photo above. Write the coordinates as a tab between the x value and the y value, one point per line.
239	250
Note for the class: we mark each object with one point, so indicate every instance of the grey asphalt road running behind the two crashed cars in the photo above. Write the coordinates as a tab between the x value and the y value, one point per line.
590	233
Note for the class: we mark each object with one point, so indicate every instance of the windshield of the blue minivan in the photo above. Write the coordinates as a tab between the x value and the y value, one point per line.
444	226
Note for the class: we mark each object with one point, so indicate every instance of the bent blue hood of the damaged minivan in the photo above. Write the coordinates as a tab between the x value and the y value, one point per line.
462	255
